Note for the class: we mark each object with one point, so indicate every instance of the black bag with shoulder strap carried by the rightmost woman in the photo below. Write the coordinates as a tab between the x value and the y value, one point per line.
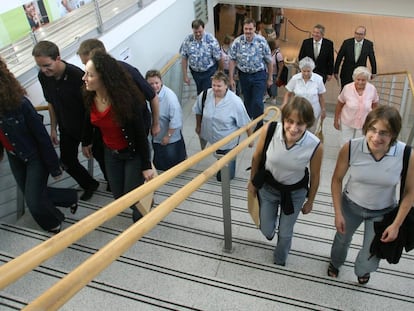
392	251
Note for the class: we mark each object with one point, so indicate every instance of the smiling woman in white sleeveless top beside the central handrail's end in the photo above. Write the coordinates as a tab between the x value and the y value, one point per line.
285	193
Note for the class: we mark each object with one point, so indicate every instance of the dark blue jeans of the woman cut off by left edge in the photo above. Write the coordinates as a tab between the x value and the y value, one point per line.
31	177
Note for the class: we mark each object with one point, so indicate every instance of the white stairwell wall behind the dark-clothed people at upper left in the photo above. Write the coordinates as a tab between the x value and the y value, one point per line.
152	36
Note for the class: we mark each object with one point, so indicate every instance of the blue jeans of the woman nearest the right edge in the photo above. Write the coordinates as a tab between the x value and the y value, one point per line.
354	215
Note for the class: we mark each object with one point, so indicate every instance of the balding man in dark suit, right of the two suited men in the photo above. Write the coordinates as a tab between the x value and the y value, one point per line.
351	56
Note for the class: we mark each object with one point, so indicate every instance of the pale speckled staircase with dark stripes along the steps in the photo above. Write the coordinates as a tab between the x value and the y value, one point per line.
181	264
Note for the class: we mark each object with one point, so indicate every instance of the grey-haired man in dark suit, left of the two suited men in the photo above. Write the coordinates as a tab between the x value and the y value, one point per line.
321	51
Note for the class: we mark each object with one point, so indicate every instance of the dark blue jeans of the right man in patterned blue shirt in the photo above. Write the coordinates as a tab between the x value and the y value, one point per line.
253	86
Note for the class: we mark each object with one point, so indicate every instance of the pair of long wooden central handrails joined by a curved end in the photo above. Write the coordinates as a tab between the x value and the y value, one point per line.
62	291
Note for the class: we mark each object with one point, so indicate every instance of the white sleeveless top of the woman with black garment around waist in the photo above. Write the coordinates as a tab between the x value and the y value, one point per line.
288	165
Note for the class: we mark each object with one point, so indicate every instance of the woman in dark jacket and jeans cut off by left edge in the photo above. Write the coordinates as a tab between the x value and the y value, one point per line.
31	154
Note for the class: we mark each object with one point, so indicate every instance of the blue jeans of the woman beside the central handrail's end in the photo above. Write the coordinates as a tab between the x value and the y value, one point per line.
270	212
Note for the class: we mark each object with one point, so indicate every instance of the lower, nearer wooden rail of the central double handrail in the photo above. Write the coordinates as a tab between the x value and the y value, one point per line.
62	291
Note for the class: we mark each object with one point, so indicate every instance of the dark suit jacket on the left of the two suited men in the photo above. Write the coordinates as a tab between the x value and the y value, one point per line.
325	61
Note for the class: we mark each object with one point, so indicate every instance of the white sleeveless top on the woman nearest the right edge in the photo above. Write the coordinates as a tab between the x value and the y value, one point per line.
371	183
